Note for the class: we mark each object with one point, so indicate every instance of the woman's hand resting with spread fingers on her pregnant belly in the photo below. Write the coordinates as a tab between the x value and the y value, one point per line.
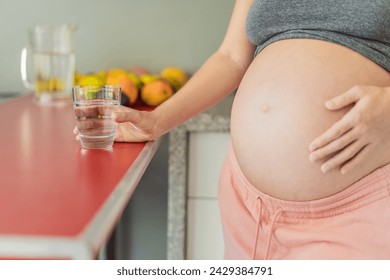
361	131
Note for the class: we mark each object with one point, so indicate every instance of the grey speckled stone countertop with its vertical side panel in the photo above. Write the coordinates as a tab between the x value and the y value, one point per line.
216	119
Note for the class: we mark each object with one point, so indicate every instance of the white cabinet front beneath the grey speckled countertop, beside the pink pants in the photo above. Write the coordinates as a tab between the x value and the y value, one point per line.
207	151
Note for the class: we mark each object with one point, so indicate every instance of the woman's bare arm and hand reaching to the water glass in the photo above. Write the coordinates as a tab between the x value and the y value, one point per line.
204	90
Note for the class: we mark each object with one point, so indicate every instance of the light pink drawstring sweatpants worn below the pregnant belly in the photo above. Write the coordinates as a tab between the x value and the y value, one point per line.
352	224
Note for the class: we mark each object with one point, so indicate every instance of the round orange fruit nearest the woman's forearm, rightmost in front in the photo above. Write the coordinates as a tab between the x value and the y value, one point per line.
156	92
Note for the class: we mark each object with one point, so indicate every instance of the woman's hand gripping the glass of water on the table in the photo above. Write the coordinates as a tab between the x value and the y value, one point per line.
133	125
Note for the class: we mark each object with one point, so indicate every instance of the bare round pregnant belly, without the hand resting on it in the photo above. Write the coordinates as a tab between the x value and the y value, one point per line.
279	109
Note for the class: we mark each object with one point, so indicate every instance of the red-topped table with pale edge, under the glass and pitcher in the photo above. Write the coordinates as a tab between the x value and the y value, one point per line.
56	199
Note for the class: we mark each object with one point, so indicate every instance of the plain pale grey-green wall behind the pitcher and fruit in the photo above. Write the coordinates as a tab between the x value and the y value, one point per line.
117	33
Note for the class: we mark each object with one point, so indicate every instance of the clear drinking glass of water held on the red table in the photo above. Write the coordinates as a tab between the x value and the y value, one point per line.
93	106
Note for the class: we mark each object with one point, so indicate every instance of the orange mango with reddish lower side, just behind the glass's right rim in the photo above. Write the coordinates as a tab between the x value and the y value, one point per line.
117	76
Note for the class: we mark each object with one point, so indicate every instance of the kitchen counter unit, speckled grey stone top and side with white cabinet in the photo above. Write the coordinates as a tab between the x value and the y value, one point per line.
197	150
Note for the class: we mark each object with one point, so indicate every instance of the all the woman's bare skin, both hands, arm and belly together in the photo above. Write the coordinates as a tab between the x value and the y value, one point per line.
290	141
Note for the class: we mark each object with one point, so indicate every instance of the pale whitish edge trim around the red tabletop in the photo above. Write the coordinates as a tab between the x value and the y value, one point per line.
87	244
